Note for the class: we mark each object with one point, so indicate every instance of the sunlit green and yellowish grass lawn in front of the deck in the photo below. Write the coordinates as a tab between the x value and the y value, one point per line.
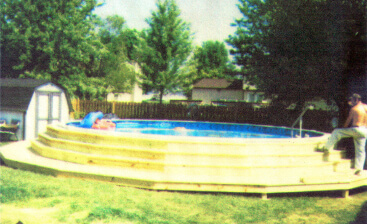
34	198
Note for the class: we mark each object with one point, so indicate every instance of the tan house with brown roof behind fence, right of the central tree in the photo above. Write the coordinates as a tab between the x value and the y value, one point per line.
209	90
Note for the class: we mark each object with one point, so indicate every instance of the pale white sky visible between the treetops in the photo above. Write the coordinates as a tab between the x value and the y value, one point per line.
209	19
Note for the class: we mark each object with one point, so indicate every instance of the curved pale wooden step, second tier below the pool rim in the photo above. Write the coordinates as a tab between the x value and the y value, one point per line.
235	156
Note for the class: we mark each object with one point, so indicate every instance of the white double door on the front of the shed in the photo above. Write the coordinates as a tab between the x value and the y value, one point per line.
48	110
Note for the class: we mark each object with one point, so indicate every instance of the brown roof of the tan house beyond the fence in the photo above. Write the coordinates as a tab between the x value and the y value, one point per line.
218	84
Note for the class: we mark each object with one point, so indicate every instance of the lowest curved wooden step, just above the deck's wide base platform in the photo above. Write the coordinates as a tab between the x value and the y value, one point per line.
227	166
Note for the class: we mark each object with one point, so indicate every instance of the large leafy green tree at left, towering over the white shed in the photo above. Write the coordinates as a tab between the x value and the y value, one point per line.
50	40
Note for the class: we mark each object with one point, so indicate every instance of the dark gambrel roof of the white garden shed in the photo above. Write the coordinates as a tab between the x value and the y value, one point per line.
16	94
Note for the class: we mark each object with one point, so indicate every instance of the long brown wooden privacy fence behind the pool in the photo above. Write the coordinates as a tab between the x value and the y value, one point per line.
315	120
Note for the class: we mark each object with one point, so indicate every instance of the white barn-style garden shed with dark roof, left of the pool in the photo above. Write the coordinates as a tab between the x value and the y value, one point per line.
28	105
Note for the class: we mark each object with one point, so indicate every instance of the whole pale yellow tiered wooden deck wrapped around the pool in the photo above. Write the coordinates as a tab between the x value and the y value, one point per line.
179	165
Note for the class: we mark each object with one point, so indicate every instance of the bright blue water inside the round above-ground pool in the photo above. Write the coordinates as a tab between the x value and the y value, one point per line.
204	129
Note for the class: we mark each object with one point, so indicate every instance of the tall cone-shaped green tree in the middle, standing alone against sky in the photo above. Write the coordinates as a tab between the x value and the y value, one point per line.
164	48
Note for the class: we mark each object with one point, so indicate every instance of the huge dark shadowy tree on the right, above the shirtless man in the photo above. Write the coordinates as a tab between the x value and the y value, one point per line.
298	50
